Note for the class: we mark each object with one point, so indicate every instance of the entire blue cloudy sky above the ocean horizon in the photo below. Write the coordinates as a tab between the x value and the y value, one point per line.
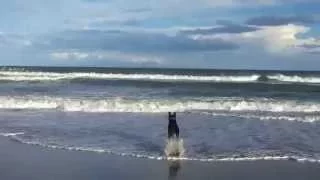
219	34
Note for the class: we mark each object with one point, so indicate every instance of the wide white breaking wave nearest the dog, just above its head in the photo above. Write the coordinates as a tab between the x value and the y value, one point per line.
156	106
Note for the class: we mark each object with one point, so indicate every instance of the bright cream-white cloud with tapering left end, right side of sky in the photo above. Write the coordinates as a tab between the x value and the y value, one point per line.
275	39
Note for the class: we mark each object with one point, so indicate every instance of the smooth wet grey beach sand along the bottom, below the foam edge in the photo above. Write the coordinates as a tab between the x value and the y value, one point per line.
21	161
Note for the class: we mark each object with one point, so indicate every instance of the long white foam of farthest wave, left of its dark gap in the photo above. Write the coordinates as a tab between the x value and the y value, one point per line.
50	76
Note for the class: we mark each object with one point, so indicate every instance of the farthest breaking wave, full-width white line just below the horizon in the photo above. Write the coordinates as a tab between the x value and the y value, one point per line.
28	76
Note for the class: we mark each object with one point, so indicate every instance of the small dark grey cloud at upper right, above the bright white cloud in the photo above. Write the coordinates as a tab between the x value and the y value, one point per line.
278	21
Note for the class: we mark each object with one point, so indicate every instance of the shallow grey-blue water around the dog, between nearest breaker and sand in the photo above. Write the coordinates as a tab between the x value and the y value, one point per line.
205	137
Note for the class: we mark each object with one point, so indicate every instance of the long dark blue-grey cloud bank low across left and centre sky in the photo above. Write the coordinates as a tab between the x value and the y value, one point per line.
93	40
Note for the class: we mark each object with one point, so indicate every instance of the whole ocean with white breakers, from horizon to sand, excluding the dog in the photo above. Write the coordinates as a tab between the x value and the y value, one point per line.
224	115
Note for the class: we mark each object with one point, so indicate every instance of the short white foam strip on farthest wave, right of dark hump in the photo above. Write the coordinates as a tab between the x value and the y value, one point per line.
295	78
